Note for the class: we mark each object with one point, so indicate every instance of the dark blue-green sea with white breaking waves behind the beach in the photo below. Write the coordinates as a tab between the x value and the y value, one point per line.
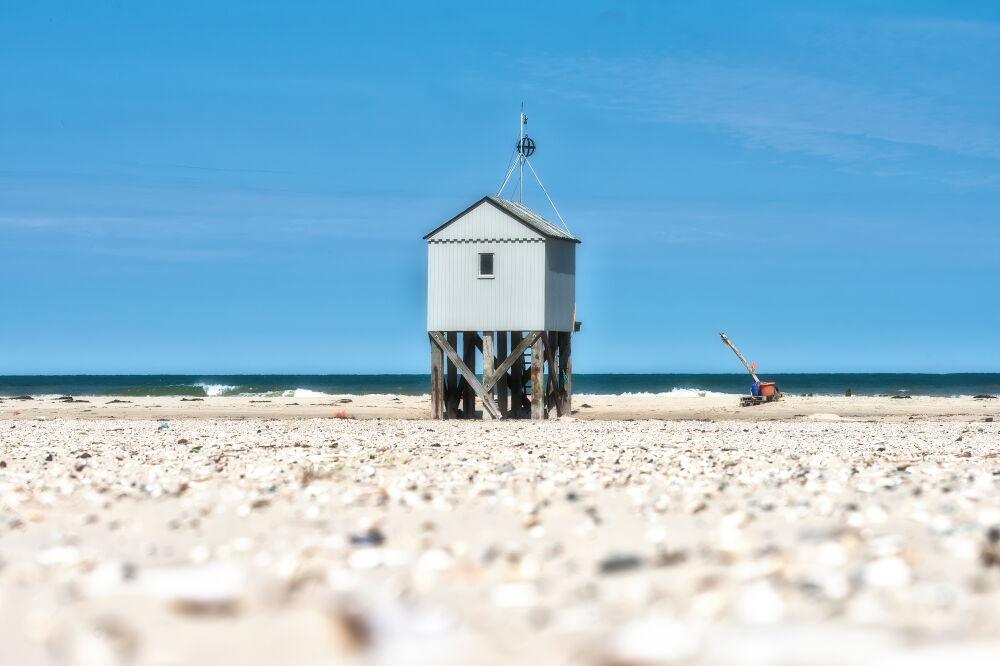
679	385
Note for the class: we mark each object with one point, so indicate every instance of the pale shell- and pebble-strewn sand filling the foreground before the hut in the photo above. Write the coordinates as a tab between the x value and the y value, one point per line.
322	541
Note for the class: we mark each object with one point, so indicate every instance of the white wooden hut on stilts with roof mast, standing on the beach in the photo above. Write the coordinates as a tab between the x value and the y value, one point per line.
501	288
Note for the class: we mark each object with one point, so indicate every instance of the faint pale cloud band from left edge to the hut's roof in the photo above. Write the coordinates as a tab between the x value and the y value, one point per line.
124	211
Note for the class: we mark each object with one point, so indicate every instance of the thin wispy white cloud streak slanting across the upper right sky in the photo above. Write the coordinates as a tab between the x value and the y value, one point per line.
780	110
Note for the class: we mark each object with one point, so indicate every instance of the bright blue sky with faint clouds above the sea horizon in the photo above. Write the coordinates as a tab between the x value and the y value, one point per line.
243	187
